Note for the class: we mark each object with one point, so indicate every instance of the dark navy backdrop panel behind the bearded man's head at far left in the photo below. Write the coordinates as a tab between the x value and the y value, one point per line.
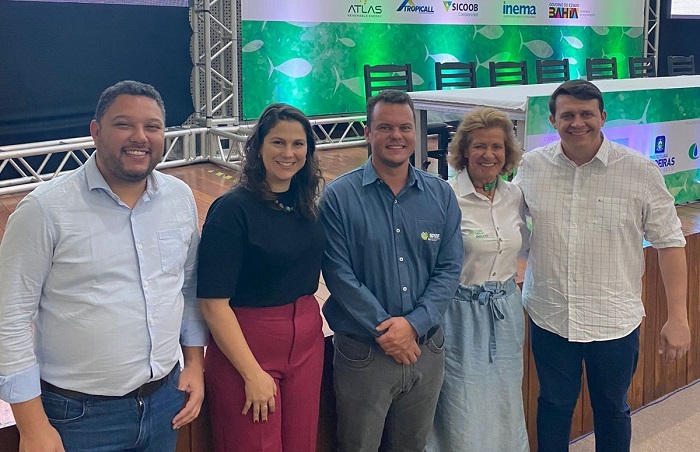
56	59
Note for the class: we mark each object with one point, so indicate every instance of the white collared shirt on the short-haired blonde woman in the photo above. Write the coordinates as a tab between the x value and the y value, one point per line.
493	232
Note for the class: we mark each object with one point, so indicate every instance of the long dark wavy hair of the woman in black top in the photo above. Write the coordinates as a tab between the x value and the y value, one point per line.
306	182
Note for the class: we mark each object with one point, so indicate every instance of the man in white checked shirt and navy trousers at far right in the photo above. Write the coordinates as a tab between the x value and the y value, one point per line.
591	202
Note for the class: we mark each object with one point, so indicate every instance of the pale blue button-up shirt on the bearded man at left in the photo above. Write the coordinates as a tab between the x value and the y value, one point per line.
110	290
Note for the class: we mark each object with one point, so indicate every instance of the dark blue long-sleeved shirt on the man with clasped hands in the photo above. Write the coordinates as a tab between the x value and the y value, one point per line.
389	256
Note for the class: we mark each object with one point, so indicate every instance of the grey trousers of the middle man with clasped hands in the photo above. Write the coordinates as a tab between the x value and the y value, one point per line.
375	395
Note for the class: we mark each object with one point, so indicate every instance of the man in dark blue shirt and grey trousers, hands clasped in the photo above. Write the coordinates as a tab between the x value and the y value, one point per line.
392	265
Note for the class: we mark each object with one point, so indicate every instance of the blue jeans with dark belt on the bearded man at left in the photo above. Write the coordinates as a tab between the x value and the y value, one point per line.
130	424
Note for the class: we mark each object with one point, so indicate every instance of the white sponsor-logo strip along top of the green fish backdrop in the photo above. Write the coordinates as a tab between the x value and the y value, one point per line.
606	13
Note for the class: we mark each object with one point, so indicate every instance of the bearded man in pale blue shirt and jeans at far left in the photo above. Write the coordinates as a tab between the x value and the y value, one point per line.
102	262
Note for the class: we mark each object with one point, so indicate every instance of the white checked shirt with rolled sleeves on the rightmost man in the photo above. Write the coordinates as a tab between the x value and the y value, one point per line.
584	274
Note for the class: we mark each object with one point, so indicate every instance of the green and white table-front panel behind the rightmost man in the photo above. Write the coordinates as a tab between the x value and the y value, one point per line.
663	124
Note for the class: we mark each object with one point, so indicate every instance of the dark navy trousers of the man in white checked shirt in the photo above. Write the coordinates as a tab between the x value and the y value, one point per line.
610	366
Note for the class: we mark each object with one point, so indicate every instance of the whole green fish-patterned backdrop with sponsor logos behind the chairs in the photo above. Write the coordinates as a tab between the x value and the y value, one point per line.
311	53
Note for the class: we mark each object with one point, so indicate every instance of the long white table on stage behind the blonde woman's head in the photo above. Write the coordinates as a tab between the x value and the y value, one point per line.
513	99
